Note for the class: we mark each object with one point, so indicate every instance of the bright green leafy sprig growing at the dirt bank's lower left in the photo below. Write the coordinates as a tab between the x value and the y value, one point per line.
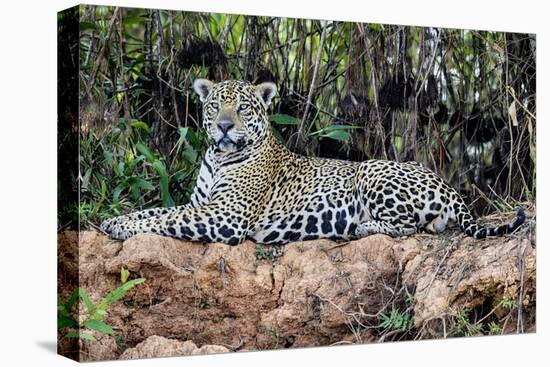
81	326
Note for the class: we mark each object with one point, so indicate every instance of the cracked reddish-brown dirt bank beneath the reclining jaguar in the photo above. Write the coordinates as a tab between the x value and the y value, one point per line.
201	298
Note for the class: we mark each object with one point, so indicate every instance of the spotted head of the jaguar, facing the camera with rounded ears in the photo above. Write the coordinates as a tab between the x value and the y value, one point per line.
235	112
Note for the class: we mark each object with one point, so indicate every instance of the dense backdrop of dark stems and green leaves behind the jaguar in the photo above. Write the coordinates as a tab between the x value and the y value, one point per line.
460	101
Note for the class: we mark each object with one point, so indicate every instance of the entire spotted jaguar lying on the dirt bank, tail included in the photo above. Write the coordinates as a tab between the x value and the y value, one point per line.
251	186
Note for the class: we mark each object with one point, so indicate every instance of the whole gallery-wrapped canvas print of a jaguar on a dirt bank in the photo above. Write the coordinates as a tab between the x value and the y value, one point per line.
234	183
